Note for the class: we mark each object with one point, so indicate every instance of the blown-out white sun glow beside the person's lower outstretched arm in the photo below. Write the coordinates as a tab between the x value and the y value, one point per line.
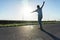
26	11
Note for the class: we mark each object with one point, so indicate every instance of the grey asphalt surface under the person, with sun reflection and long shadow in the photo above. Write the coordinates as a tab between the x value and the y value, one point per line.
31	32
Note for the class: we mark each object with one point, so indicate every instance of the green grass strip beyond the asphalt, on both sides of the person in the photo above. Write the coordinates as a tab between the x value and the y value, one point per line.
27	23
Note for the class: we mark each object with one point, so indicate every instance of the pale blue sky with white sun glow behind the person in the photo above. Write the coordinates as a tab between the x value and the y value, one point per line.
21	9
